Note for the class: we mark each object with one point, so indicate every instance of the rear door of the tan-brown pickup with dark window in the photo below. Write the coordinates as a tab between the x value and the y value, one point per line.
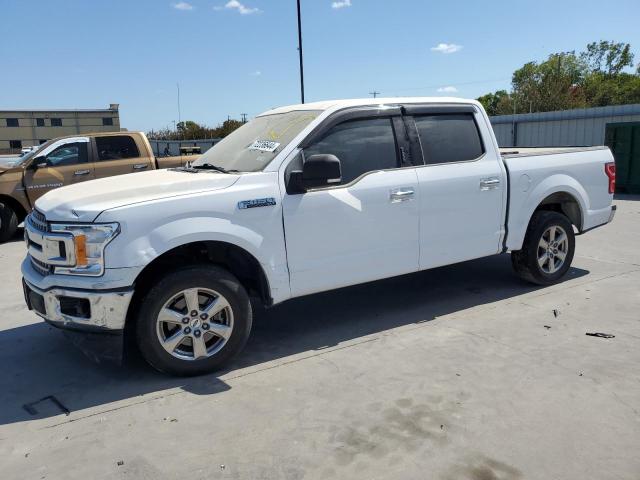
120	154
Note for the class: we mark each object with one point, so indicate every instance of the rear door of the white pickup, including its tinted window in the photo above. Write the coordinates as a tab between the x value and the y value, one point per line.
461	186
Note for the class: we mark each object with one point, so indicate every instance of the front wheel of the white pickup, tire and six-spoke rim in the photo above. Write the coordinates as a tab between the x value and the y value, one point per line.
215	288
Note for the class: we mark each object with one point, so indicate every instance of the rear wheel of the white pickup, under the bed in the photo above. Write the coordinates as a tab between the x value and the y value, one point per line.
533	262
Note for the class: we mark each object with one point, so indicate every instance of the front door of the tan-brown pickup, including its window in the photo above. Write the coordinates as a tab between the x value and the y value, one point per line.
65	162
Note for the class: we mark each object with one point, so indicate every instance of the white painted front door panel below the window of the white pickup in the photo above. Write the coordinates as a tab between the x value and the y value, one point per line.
344	236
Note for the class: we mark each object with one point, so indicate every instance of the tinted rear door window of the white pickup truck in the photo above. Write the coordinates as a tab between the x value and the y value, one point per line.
449	138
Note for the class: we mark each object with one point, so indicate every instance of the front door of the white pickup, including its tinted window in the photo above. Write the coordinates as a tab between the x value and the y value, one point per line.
362	229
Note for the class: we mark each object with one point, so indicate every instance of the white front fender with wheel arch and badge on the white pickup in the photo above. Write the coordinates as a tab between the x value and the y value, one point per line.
153	227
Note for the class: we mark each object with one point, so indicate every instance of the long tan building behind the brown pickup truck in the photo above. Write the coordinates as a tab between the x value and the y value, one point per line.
25	128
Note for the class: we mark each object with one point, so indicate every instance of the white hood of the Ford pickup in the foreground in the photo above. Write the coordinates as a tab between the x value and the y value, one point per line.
83	202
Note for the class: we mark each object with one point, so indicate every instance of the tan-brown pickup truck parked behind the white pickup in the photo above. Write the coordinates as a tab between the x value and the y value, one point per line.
67	161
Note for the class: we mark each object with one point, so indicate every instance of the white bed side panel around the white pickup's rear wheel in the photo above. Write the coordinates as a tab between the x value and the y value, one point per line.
534	177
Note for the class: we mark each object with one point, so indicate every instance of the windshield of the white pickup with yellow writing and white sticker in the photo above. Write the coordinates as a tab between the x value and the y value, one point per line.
251	147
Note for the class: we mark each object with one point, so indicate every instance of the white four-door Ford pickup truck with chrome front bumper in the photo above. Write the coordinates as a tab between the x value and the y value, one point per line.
302	199
